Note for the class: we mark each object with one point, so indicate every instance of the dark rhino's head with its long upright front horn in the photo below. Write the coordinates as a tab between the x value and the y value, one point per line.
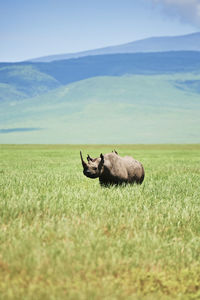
94	166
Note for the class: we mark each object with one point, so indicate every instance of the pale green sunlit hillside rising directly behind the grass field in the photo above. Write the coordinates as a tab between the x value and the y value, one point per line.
127	109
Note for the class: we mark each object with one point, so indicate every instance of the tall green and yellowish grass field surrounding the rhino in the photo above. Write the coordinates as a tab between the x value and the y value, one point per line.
63	236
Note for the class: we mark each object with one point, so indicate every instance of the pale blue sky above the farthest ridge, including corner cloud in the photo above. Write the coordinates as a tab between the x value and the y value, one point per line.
35	28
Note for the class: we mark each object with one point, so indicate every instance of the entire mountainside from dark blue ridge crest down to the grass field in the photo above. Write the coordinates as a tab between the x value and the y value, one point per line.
116	98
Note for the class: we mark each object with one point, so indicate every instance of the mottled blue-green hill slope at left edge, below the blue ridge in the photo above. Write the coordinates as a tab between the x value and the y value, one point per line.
23	81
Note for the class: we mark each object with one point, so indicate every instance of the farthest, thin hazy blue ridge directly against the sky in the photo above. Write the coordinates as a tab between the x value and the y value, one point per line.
189	42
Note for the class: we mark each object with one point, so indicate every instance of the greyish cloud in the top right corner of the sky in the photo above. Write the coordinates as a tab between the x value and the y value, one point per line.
187	10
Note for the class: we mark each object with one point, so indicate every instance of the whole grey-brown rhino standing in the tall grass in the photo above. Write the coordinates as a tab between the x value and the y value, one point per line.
113	169
